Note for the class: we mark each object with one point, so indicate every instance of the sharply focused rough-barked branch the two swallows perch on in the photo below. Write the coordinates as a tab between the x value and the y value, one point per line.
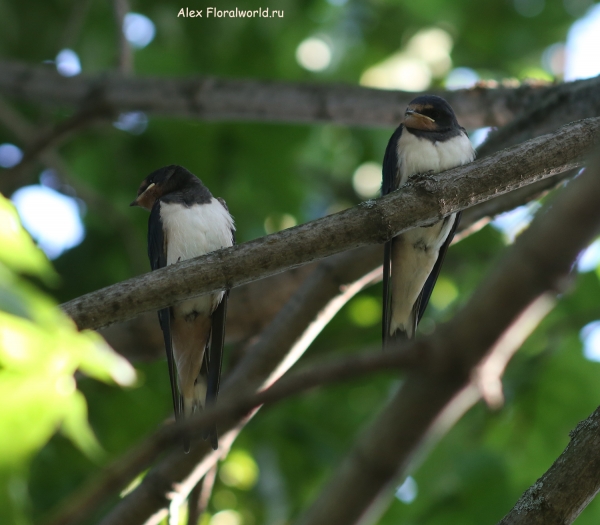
422	201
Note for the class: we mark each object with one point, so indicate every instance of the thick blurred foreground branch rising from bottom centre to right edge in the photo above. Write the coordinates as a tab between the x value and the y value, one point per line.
539	263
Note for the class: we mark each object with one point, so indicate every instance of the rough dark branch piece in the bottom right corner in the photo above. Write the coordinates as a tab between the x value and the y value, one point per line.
561	494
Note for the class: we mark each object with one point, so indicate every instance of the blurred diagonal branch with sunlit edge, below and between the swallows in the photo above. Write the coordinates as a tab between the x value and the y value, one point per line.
329	286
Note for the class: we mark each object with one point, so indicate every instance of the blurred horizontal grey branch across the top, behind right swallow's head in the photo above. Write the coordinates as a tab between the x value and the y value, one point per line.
213	98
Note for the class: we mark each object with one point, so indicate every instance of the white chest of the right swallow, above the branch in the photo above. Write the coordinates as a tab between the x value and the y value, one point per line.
420	155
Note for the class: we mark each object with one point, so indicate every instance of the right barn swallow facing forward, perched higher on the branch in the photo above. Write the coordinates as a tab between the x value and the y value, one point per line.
428	141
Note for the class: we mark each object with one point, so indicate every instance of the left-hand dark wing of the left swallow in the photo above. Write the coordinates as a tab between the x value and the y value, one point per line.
157	253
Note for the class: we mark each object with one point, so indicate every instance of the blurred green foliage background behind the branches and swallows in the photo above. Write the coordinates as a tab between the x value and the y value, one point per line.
274	176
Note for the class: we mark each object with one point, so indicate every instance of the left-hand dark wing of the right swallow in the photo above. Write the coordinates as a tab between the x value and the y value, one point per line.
388	184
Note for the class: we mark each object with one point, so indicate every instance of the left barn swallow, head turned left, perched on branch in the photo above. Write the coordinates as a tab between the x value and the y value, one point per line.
187	221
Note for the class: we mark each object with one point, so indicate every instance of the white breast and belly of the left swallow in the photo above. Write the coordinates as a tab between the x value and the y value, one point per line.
191	232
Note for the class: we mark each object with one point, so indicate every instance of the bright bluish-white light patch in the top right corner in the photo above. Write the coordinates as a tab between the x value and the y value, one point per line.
583	43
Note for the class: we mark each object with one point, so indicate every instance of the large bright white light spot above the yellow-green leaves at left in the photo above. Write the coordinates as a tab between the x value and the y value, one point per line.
52	219
